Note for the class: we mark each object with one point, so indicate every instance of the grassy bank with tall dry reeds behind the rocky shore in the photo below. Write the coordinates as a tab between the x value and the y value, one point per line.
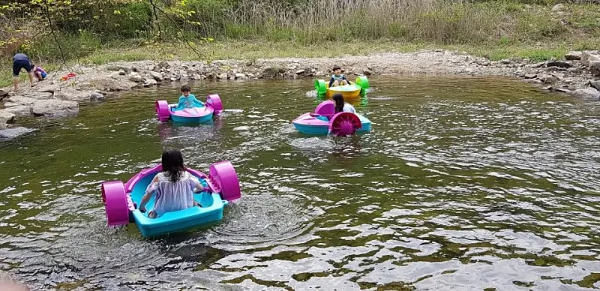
310	28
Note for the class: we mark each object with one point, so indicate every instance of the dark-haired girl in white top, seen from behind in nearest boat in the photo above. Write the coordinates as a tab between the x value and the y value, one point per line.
174	186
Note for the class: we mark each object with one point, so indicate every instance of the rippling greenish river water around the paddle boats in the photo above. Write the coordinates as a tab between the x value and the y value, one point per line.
463	184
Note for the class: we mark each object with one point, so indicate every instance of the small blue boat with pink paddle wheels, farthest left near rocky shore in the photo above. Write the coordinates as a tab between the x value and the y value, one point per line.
197	114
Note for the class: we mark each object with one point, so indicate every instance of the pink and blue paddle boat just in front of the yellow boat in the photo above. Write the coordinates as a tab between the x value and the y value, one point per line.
325	121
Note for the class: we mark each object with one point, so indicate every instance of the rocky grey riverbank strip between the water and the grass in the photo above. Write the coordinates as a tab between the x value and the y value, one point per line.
577	75
